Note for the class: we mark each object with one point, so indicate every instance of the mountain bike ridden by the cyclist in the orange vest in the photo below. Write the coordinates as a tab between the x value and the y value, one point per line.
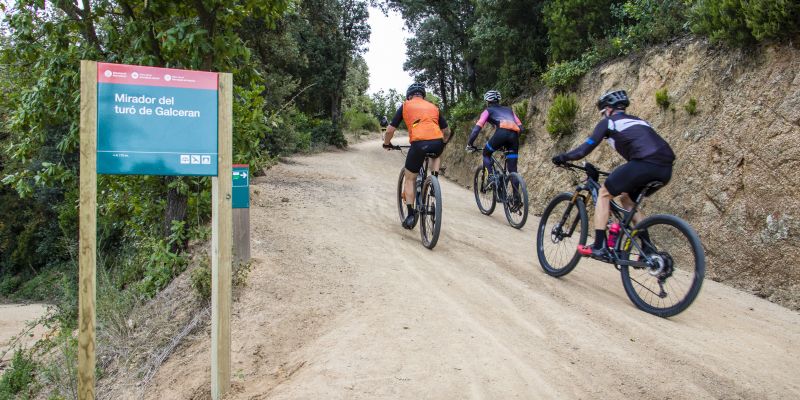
428	202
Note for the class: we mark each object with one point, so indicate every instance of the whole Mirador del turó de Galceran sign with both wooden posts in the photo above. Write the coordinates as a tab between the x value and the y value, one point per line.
139	120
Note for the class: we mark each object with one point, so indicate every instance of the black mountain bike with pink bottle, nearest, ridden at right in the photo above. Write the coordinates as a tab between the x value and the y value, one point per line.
661	276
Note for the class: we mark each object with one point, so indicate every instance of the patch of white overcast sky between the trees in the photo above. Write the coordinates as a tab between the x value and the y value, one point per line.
387	52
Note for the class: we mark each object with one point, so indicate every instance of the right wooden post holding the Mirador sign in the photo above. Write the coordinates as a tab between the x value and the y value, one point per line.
221	246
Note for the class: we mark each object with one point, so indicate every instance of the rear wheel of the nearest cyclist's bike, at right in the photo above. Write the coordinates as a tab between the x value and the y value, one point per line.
673	282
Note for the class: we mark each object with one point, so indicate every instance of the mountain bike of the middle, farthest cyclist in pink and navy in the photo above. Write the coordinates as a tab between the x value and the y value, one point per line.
505	187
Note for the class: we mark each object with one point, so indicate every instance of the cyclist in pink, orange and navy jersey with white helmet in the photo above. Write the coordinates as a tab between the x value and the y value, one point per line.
506	135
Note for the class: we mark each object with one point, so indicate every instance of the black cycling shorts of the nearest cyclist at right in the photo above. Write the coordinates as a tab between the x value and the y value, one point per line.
632	176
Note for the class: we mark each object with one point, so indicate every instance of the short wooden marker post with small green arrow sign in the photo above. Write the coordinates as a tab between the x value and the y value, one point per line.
241	213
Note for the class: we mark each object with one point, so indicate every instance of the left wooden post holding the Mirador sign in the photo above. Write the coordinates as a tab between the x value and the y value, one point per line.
87	257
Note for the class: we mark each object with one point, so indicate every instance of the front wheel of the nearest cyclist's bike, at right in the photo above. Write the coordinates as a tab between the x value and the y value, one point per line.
563	226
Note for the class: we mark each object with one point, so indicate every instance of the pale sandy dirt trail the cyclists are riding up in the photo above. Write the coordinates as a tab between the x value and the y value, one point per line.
344	303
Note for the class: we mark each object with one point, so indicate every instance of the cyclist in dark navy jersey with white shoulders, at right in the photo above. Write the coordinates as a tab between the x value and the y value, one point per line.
649	158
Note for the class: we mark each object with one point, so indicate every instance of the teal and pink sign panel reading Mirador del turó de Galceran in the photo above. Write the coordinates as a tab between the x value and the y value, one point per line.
156	121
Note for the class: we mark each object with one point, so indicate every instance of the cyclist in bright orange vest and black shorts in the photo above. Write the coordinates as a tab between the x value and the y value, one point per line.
427	133
